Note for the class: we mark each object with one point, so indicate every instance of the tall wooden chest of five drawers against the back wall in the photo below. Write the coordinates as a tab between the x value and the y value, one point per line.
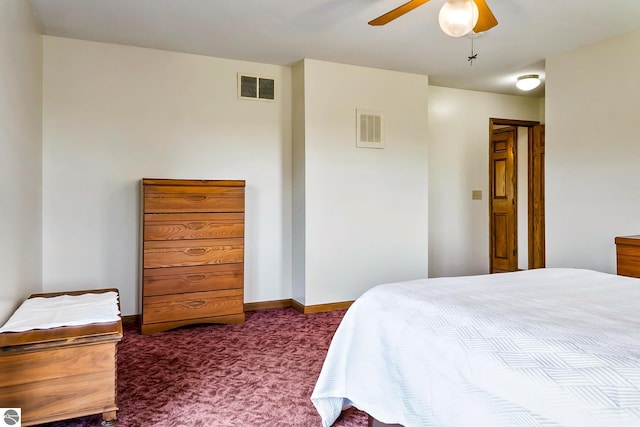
192	253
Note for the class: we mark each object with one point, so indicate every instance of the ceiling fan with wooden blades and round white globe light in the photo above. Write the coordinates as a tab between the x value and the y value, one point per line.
457	17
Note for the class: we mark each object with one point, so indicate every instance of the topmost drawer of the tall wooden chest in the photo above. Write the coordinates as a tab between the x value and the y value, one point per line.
159	198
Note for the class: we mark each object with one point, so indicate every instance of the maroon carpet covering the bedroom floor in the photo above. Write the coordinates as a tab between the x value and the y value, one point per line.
259	373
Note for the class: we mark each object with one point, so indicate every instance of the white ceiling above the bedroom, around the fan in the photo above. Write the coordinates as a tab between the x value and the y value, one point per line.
283	32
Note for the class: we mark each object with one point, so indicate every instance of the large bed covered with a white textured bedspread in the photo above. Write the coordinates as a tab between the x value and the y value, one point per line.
545	347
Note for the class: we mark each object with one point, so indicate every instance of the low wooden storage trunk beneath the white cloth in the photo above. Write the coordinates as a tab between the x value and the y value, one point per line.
60	373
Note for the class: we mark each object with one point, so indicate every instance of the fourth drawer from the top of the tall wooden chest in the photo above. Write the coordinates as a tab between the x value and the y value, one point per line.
163	281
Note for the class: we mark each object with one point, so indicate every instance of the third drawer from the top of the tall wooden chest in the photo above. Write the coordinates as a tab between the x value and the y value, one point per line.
176	253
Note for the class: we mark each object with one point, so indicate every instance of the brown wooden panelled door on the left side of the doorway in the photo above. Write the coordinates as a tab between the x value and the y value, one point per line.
502	200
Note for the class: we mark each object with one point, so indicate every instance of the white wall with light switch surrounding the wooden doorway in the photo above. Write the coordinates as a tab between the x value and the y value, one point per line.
458	164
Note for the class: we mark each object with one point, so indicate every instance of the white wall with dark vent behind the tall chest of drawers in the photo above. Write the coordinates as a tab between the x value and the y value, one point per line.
115	114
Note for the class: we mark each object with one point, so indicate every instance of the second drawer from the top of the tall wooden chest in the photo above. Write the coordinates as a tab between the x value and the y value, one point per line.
193	226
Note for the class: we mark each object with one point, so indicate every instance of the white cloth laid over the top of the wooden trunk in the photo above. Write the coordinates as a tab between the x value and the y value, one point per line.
64	310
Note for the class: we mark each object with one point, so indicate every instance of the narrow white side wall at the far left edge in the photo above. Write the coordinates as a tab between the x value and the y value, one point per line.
20	155
